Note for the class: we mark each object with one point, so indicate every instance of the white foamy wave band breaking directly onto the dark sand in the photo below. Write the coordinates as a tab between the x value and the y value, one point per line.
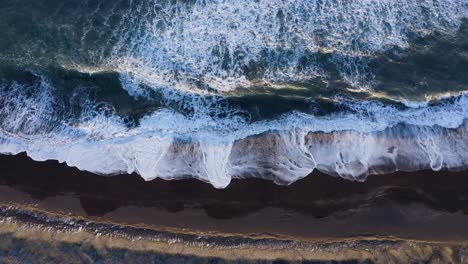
216	149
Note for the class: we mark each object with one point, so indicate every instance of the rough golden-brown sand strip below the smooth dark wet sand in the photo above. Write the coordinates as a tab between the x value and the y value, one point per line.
106	238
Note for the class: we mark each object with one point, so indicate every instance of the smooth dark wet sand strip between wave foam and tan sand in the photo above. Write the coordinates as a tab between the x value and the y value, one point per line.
418	205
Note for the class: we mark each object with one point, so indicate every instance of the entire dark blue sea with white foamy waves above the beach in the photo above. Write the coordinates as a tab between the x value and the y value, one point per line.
230	89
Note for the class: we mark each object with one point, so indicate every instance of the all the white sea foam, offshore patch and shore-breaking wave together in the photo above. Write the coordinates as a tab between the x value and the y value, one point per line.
174	48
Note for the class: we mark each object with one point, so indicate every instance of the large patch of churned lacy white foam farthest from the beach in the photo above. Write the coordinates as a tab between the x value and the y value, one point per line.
181	44
